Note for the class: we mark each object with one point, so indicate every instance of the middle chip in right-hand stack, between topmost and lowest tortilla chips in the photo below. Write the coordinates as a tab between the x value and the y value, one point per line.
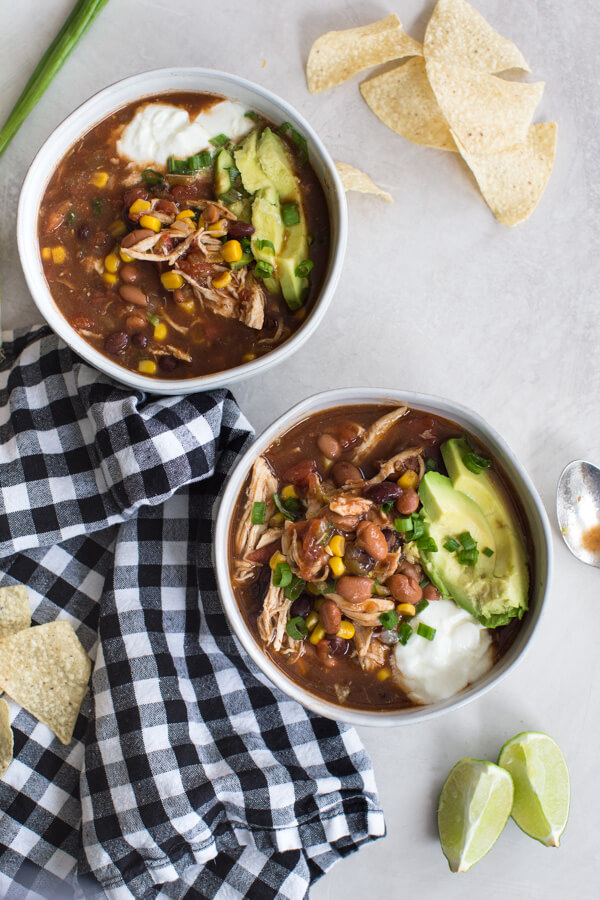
485	113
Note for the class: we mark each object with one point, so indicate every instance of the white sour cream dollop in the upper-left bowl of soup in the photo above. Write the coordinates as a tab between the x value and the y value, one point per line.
159	130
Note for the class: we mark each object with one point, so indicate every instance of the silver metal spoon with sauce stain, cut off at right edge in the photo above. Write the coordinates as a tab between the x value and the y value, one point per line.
578	510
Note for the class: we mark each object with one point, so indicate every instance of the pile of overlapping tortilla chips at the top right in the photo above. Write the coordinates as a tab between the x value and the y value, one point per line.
447	94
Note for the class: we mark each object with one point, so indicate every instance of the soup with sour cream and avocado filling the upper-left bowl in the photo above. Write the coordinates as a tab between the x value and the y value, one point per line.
185	235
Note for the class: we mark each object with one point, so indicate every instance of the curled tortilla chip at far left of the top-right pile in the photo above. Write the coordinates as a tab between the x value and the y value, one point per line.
338	55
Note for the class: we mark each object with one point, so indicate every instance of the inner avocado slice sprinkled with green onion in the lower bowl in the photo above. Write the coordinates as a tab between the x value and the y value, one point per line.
447	513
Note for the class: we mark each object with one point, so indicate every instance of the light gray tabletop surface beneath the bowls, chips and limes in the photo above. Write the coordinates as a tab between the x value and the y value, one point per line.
436	297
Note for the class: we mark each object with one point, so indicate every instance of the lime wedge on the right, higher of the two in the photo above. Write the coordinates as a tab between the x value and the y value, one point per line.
542	789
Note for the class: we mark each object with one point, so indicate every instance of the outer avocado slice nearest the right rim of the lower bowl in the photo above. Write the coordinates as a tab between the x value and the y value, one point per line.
510	559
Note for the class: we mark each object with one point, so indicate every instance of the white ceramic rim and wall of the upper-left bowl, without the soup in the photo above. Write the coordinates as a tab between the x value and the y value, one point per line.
99	107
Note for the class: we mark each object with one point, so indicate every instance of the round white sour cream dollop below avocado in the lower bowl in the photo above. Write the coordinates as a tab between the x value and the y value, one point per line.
460	653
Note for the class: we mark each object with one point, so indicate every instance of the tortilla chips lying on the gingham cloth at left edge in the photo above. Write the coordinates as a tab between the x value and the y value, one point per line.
44	668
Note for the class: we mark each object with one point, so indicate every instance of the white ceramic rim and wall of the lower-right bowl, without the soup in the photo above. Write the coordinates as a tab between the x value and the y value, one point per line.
532	505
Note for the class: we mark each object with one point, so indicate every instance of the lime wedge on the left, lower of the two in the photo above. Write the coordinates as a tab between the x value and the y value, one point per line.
473	808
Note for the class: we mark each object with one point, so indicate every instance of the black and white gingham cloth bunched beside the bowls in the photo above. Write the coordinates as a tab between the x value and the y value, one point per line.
189	775
